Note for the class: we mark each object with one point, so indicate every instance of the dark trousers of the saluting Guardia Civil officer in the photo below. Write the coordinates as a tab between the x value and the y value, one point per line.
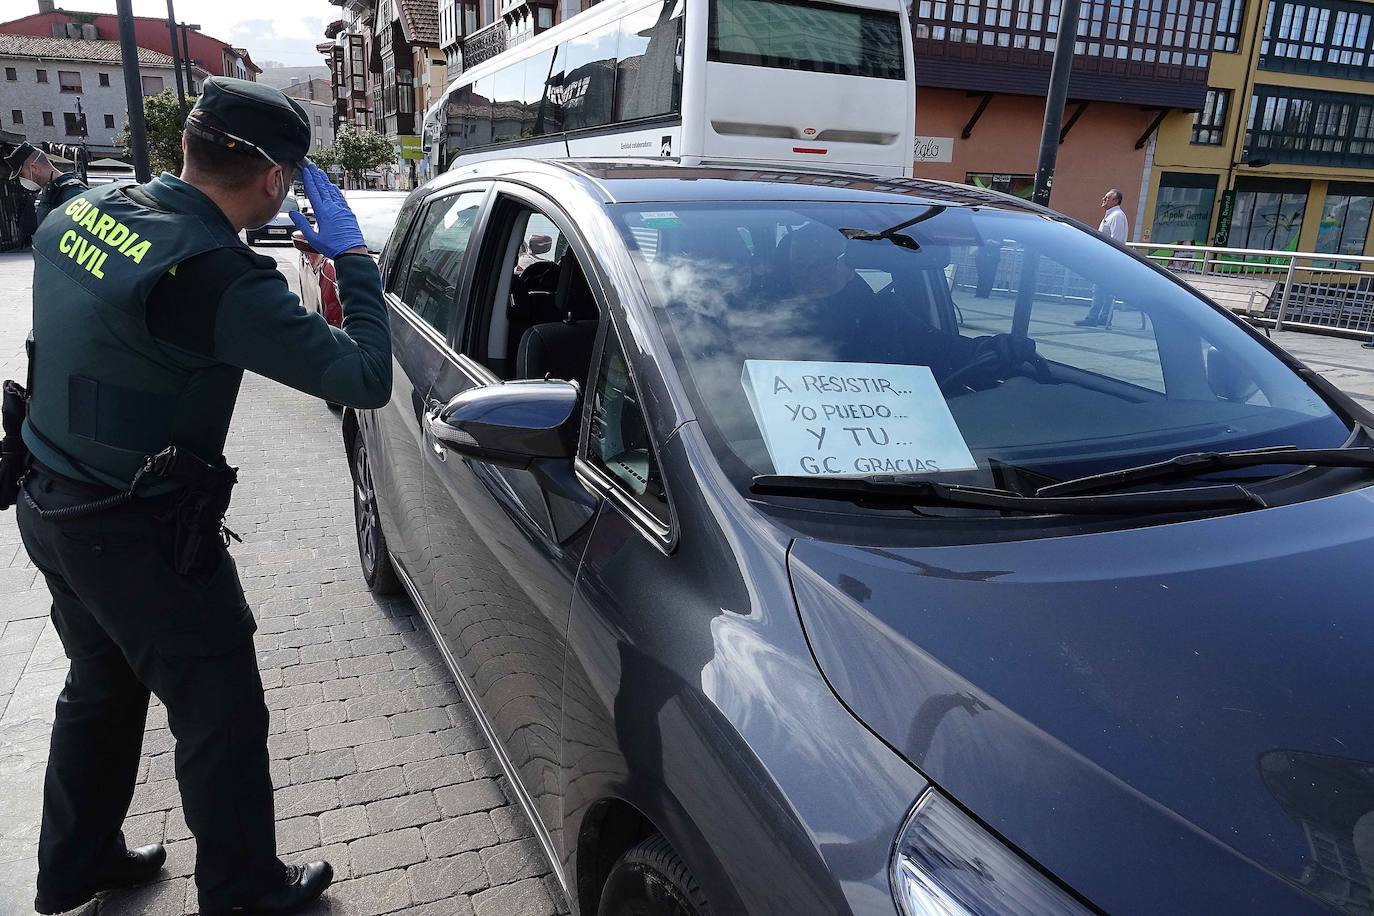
130	626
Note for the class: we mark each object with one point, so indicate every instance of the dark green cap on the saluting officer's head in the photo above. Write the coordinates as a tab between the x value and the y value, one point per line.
254	119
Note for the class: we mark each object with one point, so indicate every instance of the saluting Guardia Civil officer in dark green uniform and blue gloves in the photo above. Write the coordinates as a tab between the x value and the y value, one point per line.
148	310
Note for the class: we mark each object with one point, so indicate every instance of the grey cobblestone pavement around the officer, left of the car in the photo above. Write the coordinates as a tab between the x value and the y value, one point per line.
379	764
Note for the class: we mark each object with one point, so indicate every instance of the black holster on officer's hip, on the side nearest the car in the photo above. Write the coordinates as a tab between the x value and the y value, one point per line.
199	507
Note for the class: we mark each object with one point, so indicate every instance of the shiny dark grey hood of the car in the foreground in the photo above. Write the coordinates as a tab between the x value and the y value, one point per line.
1173	720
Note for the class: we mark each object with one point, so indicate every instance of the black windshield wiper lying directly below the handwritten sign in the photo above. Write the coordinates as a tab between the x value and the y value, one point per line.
899	491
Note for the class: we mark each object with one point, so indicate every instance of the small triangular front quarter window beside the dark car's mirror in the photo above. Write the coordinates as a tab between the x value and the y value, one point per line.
619	443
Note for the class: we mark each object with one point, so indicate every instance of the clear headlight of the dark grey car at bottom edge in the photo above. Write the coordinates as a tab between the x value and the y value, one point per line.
946	865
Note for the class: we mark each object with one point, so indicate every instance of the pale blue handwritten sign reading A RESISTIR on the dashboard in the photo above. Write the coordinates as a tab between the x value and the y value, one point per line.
831	420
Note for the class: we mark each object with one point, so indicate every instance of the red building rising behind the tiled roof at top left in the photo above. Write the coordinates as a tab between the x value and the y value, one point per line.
212	56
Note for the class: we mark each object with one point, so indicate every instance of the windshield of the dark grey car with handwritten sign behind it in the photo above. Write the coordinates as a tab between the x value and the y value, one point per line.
976	340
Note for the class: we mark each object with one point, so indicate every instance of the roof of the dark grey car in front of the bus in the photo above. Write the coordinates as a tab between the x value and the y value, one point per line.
667	182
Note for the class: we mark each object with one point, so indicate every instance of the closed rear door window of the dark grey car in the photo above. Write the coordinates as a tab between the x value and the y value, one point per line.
435	260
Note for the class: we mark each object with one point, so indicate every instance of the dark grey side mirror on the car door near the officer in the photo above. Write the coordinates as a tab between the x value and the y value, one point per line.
512	425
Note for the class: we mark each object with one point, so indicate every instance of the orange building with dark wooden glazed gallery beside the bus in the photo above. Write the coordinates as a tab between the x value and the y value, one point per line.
983	72
